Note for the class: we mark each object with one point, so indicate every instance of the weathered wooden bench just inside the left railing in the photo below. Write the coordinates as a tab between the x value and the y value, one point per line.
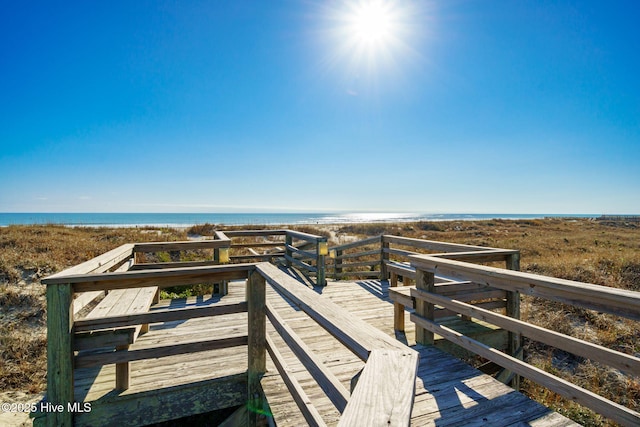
116	303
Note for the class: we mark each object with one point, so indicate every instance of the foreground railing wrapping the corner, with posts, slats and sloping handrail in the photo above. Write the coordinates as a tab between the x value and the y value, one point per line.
385	357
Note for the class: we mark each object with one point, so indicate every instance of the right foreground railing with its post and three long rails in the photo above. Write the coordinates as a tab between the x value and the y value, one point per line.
603	299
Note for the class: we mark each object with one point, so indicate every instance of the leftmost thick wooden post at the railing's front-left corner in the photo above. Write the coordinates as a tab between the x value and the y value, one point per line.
60	353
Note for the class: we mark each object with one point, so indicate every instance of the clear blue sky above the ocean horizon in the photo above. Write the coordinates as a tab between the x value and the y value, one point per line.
205	106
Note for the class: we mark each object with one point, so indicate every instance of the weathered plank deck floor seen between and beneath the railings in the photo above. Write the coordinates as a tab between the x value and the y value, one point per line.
448	392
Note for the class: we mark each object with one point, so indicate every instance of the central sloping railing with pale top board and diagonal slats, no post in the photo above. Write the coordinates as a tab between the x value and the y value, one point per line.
388	377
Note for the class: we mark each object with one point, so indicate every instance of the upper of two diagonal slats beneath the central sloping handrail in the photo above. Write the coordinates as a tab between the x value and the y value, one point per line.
325	379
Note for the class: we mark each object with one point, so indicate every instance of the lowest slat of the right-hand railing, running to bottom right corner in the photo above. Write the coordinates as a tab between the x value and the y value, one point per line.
614	411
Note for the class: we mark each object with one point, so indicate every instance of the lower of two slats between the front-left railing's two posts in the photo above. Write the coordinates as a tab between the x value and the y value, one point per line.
100	359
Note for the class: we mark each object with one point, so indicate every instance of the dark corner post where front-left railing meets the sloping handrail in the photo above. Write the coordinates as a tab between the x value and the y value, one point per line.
256	302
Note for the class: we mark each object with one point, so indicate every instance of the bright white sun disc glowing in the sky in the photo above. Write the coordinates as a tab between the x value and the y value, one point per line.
372	22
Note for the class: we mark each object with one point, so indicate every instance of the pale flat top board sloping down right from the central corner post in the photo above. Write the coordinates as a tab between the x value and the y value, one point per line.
354	333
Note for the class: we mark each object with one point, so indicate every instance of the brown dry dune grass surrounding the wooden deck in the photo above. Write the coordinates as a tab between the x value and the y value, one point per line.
573	249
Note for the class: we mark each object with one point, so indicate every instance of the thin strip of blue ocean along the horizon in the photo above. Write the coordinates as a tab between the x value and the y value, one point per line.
188	219
